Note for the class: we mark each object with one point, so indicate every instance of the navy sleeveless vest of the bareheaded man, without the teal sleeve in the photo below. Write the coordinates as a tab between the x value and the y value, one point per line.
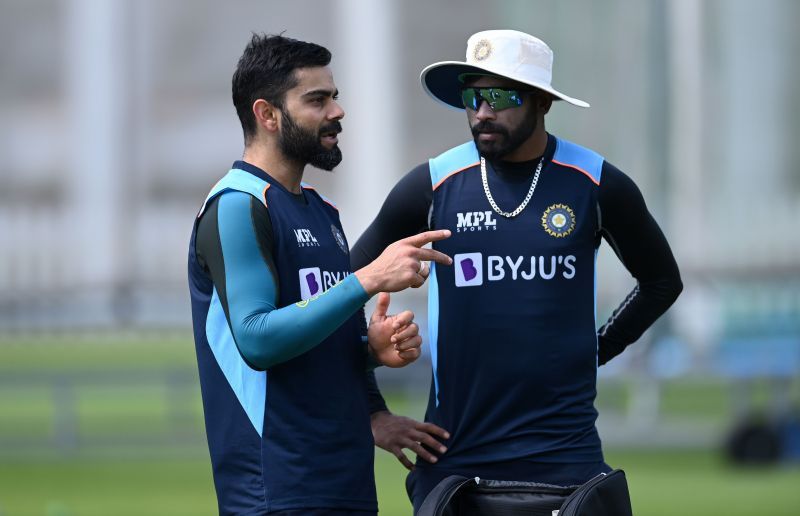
297	435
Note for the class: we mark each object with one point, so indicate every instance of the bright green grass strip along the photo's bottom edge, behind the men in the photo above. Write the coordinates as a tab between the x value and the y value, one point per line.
662	483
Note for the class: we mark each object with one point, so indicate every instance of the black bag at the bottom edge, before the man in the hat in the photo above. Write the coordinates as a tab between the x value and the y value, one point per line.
604	495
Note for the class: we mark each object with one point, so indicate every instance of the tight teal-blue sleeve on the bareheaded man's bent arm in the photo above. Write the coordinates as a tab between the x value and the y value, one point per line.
267	335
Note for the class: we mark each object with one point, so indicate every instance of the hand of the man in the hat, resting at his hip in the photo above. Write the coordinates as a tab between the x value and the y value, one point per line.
393	433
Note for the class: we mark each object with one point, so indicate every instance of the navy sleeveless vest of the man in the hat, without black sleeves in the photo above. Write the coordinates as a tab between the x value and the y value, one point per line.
512	322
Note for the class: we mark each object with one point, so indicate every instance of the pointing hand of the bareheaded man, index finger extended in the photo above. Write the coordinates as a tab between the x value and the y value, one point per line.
402	264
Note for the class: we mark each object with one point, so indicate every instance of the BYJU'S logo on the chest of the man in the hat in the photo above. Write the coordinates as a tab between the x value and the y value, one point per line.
471	270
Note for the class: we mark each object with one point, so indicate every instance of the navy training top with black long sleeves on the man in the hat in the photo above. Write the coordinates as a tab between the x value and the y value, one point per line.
513	334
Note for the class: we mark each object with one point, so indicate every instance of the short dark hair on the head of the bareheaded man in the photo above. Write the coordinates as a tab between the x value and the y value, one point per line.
266	71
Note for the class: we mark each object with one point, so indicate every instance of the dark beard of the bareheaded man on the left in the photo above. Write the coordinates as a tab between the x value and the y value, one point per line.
304	146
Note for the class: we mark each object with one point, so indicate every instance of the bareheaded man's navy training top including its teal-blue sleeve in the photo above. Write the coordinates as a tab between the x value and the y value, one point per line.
279	349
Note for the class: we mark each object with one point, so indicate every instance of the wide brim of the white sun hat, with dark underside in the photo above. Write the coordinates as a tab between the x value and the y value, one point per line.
441	81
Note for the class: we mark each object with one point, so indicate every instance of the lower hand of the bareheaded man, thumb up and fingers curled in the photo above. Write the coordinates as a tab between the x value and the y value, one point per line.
393	339
